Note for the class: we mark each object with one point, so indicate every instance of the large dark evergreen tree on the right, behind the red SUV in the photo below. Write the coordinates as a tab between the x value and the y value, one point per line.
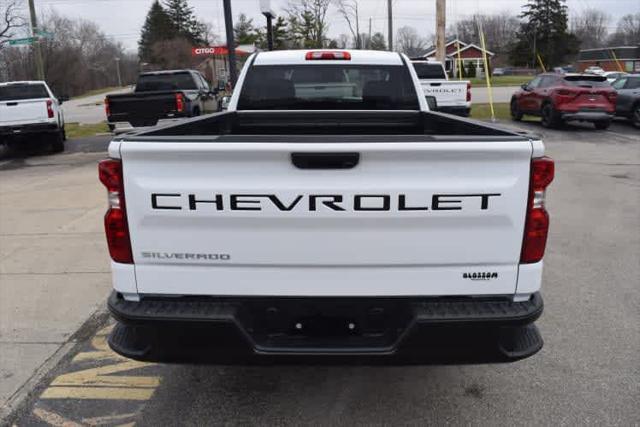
543	32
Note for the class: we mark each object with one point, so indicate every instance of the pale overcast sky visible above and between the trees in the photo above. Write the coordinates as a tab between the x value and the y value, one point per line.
122	19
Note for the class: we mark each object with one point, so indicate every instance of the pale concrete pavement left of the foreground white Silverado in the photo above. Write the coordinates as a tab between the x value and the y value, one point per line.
54	268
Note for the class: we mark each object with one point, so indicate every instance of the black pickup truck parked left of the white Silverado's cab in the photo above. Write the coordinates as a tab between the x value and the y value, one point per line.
161	96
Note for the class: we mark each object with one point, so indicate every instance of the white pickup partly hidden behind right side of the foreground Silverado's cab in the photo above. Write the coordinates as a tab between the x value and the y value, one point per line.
452	96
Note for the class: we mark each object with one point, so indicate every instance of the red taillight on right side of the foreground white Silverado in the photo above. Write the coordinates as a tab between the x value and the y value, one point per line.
537	222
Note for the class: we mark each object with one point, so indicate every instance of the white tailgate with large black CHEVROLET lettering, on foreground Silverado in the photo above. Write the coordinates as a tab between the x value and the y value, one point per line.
424	218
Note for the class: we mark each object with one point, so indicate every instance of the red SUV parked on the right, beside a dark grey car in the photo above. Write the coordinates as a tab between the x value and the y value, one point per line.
559	98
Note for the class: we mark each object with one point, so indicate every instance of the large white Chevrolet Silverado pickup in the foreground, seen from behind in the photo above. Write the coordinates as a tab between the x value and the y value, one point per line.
295	227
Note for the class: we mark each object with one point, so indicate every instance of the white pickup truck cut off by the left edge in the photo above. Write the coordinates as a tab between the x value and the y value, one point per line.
29	110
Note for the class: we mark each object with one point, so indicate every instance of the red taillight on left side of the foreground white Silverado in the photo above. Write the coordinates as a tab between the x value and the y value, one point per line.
115	220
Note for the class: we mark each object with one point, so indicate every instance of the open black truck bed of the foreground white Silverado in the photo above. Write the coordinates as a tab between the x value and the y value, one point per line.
348	126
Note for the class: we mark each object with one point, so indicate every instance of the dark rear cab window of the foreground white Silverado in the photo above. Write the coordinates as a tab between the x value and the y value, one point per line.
328	87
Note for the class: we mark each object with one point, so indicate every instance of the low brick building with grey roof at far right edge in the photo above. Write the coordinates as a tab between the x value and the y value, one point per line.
623	58
